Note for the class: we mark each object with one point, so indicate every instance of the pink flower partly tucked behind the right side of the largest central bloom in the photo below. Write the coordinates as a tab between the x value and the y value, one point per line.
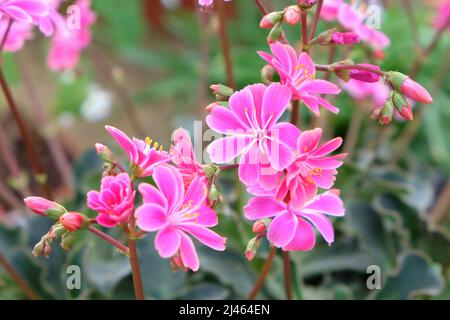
312	168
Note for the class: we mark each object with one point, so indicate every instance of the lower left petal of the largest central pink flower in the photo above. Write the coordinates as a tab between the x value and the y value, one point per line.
226	149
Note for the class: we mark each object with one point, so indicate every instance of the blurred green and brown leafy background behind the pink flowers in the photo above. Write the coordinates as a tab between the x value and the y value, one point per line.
158	59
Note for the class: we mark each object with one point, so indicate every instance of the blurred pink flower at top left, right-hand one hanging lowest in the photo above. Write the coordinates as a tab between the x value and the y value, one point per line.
67	44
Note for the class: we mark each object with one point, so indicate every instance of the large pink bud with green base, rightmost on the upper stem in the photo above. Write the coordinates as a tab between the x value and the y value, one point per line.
402	83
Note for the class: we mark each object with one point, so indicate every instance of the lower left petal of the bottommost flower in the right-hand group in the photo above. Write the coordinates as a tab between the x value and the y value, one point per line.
282	229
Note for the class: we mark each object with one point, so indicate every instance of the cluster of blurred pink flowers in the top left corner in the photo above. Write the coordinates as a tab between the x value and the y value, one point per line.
69	34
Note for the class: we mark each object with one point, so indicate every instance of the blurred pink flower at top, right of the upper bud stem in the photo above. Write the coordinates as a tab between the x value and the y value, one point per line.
354	20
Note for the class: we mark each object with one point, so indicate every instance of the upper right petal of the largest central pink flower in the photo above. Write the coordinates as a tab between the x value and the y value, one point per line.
276	100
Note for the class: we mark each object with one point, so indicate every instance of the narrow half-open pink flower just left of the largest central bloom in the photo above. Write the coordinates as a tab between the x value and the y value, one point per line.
183	156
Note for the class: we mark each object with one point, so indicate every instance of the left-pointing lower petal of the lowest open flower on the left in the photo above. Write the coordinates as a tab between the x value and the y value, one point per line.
151	217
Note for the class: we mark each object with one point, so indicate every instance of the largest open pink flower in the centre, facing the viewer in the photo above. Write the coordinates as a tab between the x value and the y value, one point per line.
253	132
